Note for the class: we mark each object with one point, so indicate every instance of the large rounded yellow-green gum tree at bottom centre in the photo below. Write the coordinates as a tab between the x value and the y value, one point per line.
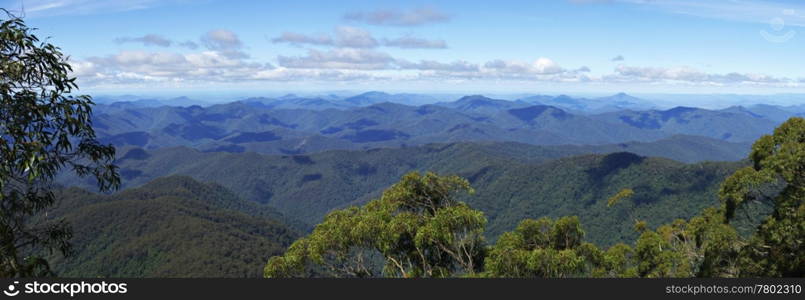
417	229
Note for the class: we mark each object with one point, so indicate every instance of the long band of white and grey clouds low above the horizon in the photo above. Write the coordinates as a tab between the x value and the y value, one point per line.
354	59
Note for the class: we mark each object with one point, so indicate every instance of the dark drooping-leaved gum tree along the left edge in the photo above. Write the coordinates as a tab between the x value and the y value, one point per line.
43	130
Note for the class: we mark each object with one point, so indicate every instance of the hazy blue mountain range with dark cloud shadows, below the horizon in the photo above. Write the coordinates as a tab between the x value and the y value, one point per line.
293	125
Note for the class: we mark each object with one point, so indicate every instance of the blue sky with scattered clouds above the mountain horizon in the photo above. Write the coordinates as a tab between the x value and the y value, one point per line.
563	46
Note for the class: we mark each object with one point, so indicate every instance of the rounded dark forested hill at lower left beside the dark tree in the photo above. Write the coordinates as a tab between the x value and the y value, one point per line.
171	227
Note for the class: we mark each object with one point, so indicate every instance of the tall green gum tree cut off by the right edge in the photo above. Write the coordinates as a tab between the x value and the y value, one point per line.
777	248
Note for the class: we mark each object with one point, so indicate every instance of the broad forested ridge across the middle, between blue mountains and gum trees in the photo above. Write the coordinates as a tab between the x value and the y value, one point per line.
514	181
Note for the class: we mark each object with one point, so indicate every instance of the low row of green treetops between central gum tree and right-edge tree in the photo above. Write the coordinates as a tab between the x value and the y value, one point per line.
703	246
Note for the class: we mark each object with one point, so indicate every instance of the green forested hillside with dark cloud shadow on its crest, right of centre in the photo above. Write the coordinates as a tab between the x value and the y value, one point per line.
664	190
